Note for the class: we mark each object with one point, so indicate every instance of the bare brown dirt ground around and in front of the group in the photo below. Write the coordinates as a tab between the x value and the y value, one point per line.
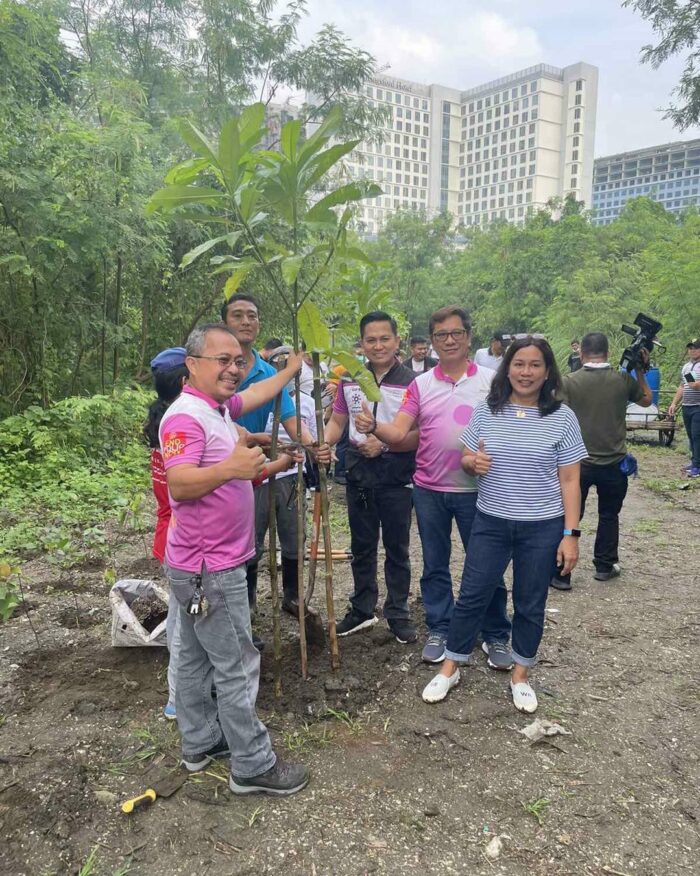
397	786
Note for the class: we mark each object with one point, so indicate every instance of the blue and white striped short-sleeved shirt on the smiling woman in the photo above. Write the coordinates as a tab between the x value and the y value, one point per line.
526	451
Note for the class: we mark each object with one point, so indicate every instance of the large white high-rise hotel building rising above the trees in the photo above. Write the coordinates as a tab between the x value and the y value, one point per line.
492	152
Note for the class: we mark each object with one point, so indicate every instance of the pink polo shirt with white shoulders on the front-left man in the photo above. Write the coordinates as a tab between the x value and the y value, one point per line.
218	529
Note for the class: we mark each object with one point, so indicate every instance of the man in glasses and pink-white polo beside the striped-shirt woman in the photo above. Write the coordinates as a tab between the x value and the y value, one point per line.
441	403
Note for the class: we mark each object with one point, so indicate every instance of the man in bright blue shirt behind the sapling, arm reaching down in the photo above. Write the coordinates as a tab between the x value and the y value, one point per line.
241	315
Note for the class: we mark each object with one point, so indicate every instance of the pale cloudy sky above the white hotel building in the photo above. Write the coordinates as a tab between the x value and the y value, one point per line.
463	44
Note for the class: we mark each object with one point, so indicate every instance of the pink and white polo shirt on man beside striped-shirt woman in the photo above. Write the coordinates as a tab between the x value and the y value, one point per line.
442	409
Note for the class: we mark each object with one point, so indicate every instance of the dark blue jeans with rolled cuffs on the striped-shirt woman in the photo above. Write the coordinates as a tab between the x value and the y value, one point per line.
532	545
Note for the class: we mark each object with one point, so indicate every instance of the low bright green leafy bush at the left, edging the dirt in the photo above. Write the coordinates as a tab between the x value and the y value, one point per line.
68	469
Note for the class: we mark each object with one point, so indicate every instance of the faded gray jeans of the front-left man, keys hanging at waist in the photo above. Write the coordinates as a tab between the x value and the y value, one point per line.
217	647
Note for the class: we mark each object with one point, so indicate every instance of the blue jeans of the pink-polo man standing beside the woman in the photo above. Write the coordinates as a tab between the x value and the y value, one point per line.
435	512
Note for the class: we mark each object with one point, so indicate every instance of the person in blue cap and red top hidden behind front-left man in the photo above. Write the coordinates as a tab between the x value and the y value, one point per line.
169	374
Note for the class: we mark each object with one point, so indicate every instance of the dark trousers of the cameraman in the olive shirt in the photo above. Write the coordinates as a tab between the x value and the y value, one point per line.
611	485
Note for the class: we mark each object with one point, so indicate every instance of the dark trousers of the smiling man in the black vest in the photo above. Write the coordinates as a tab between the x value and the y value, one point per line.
369	510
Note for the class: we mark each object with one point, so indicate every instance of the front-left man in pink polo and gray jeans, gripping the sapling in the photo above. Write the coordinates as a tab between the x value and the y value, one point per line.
209	468
